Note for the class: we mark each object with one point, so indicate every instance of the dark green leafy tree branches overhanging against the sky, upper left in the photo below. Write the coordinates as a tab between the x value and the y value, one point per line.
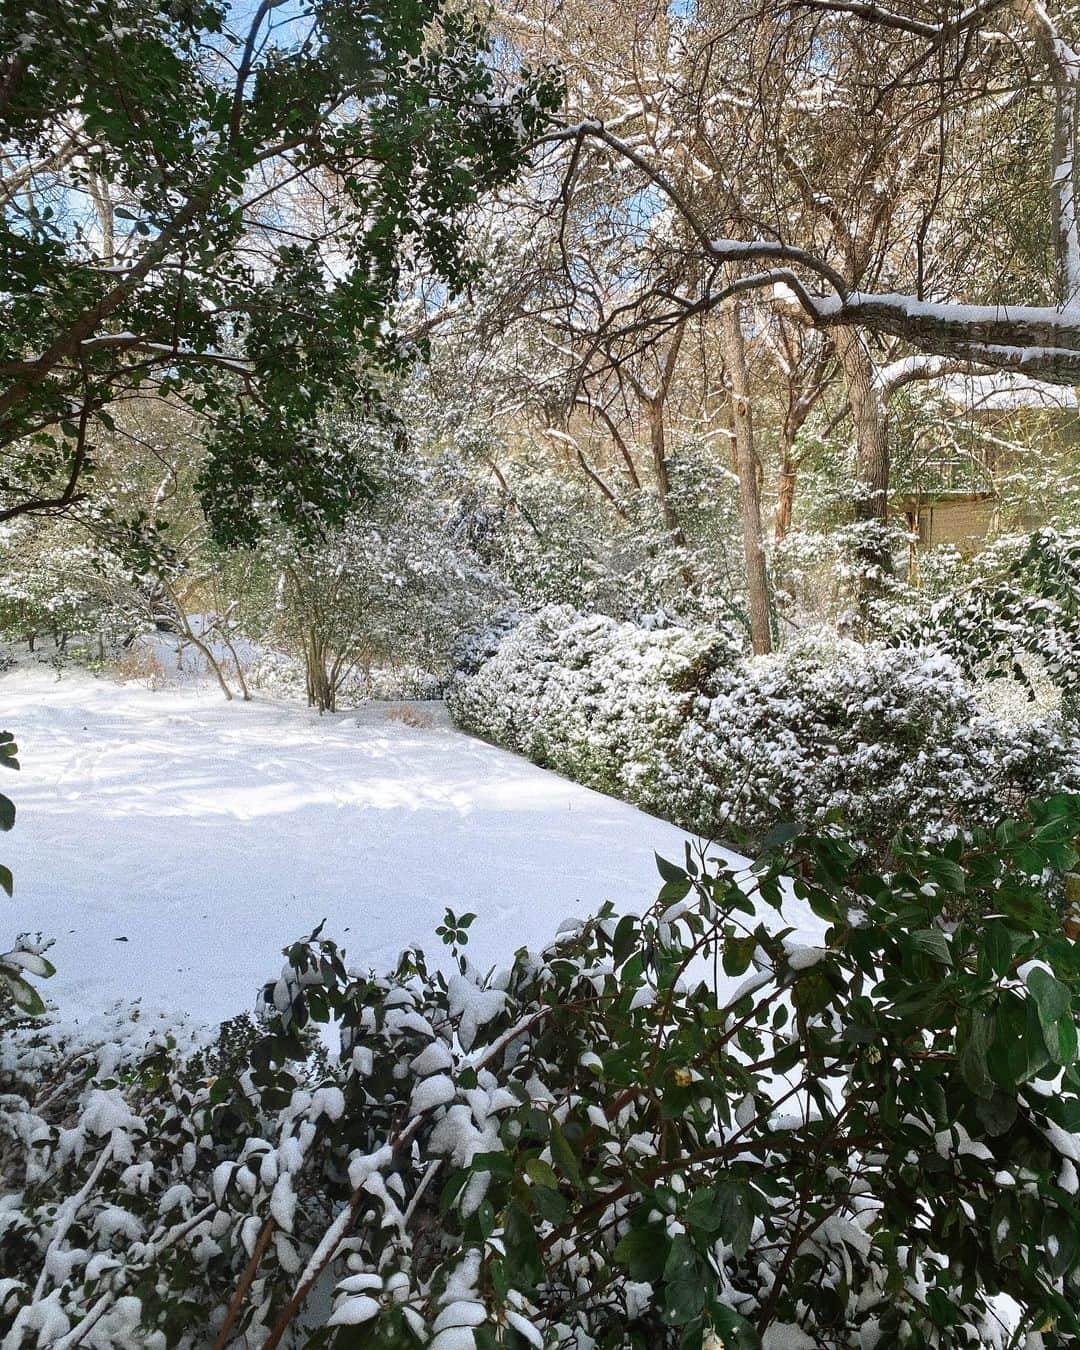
164	248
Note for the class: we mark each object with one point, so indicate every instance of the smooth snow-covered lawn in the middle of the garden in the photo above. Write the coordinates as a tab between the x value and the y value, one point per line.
173	843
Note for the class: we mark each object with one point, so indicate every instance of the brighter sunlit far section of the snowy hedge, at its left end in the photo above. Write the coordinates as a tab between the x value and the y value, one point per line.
592	697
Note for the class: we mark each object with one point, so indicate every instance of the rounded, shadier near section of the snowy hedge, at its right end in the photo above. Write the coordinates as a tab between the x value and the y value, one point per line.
882	738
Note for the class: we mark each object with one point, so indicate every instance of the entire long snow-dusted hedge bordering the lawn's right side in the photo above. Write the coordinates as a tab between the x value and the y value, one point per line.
676	722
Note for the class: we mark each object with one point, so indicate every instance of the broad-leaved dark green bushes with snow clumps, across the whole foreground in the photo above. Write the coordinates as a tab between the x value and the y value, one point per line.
682	1131
